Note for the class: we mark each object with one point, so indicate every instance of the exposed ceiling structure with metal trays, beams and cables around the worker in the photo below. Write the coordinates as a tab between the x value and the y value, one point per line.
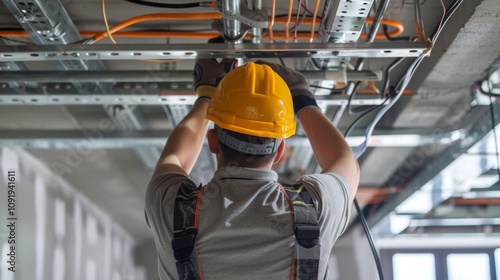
99	113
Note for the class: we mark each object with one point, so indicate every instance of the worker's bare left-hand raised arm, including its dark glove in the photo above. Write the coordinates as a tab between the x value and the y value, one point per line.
186	140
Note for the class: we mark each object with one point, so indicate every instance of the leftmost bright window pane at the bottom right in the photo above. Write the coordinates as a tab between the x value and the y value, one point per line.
414	267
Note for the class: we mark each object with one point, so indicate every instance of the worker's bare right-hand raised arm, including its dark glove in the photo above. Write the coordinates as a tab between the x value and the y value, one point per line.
329	146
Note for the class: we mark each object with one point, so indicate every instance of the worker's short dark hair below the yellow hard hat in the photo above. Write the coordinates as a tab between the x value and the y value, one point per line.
246	159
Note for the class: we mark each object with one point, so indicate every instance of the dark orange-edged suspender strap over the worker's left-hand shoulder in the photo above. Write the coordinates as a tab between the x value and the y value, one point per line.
186	217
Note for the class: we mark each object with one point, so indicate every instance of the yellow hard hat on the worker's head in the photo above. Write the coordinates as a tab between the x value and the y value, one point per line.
254	100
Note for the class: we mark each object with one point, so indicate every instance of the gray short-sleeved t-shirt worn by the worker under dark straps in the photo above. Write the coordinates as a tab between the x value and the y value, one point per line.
245	229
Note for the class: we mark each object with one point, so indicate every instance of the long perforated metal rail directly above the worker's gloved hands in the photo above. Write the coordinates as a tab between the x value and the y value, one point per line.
190	51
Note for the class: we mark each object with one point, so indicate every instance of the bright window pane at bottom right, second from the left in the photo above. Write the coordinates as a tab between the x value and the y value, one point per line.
468	266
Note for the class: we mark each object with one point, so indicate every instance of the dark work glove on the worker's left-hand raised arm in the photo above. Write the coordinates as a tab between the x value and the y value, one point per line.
207	73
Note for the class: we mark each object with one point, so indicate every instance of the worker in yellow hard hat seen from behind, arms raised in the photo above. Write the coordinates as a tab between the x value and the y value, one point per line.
243	224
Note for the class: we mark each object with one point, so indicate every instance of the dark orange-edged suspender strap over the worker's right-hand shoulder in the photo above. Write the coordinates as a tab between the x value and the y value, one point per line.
306	228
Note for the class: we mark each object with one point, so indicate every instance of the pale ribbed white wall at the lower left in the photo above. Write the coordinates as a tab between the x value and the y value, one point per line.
59	233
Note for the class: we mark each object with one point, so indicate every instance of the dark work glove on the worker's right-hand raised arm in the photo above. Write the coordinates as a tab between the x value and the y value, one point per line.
297	83
